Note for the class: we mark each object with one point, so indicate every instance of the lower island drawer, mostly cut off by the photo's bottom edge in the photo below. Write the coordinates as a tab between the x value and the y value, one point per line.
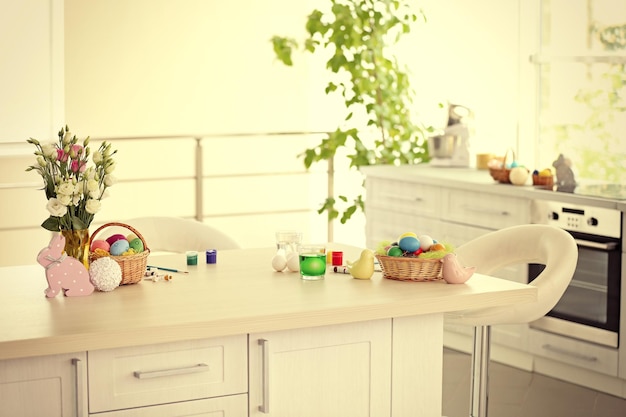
230	406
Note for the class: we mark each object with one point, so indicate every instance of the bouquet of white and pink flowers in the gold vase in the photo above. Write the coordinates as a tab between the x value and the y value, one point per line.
73	189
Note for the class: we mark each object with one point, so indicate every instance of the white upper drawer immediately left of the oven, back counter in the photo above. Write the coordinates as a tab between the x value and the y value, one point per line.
485	210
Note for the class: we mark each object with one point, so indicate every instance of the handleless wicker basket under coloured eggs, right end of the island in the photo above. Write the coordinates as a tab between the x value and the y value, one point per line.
410	269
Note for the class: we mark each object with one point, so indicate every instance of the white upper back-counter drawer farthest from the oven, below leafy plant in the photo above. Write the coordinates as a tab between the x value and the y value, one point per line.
403	197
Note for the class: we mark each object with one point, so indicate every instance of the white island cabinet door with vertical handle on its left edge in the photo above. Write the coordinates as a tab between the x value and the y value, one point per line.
340	370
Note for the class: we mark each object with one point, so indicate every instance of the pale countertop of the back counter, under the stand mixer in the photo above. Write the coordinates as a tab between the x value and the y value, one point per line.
480	181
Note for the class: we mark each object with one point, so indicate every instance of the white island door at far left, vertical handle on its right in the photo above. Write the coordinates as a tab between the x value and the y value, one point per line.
50	386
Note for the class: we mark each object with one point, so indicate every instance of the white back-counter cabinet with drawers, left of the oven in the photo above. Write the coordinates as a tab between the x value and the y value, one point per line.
450	214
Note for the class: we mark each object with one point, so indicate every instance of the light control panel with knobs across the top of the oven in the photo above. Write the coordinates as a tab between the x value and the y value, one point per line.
577	218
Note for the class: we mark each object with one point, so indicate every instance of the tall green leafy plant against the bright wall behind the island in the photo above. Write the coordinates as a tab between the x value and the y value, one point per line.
379	126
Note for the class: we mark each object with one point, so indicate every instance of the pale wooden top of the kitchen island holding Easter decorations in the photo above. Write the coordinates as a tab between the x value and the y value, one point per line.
239	294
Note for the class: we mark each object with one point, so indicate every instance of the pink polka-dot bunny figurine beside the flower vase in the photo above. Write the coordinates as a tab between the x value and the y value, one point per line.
63	272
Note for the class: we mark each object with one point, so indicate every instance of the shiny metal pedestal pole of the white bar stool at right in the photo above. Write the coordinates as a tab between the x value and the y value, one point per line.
479	381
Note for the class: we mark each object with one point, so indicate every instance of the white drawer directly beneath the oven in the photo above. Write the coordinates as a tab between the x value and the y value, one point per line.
573	352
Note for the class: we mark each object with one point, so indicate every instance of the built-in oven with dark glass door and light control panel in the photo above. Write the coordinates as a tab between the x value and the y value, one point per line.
590	307
